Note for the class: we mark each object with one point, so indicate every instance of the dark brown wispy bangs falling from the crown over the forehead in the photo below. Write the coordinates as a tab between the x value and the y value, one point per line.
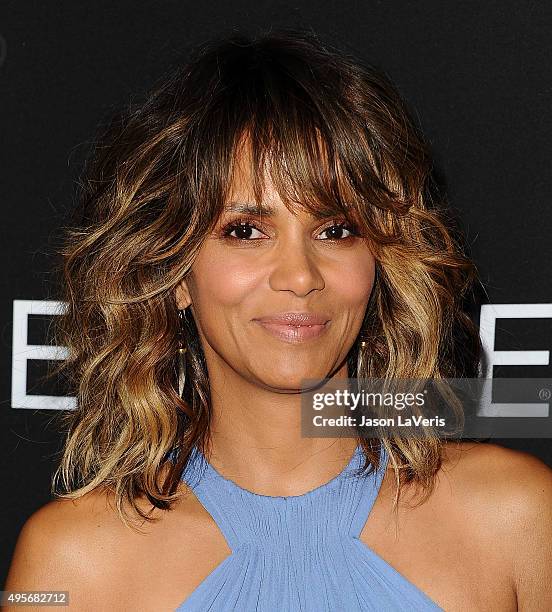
309	127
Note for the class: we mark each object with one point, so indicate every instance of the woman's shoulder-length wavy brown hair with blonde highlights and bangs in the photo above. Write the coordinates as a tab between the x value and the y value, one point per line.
337	139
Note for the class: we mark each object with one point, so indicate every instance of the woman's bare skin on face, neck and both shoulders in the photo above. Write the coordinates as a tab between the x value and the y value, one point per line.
481	542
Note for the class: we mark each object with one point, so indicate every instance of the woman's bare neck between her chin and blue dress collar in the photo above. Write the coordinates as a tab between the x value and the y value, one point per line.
255	439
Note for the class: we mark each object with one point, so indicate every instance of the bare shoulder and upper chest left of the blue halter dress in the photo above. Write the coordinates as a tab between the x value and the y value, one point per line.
83	547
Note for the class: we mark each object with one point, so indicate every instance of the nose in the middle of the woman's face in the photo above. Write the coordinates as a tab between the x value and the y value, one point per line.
297	269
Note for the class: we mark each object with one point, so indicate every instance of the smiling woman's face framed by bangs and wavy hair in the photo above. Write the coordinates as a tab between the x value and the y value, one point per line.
277	263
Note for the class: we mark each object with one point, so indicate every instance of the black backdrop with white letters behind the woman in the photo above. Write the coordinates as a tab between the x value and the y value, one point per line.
477	76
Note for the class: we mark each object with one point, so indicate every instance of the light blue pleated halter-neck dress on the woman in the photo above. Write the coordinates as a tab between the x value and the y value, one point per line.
297	553
